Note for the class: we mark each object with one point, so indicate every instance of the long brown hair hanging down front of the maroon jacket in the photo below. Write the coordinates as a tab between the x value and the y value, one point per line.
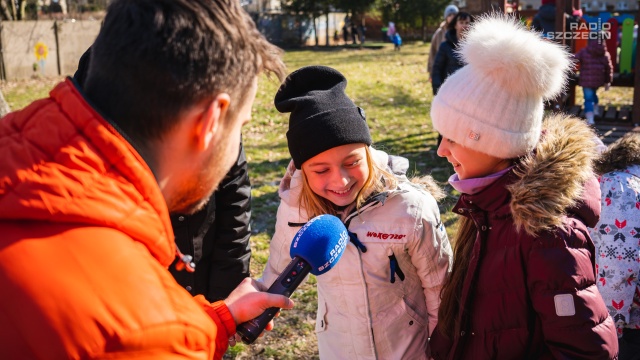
451	293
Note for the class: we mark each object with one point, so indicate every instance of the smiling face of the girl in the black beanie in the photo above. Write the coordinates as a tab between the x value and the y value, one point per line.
338	174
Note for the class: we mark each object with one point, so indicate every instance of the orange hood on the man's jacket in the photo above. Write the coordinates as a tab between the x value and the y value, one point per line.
64	164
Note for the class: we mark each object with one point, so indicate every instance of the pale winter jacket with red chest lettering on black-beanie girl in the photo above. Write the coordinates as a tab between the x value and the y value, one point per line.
361	313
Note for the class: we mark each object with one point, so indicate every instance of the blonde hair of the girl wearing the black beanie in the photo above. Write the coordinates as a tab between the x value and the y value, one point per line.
379	180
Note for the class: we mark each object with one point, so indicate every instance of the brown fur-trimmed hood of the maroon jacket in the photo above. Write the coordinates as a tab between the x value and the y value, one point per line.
557	177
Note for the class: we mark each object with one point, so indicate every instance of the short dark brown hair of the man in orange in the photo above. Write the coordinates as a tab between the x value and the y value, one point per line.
155	58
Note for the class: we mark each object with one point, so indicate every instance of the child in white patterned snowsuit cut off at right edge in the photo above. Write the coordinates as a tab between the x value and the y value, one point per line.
616	237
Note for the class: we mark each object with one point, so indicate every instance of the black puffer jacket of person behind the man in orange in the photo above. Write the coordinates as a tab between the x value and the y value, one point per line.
218	237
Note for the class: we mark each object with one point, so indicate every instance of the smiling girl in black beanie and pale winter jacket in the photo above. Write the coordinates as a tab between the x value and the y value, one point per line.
381	300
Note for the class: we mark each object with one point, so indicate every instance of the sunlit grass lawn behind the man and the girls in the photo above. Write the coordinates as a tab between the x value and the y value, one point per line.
394	90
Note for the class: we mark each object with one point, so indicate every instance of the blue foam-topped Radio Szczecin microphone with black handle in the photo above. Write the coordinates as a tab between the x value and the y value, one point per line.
315	248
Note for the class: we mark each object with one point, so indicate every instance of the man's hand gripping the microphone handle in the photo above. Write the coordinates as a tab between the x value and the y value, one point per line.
249	300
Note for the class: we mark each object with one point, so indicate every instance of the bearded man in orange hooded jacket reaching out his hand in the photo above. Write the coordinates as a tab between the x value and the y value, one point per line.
88	178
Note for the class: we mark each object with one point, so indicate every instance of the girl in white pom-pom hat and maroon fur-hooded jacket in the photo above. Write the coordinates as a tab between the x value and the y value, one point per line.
523	280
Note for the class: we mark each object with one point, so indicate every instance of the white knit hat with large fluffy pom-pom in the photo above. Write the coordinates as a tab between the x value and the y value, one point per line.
494	104
